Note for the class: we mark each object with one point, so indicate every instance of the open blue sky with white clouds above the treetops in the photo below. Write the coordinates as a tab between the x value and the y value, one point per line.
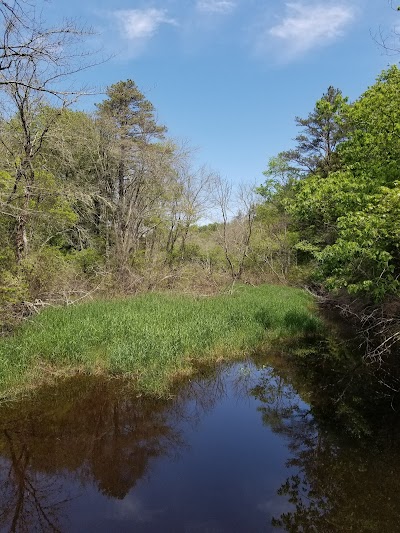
229	76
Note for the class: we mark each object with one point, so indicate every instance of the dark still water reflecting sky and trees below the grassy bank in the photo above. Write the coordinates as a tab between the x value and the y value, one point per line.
254	447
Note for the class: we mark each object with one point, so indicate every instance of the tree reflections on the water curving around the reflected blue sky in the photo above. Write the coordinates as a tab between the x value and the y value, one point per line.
342	434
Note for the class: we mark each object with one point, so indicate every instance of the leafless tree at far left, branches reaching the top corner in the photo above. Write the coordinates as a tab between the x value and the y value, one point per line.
34	62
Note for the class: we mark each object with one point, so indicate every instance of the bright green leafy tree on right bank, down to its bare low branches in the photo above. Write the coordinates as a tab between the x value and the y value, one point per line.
349	220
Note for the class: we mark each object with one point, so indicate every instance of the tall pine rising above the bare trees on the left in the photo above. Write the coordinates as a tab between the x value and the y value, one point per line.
137	163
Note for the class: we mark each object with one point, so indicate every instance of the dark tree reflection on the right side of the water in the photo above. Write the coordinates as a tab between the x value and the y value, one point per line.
344	448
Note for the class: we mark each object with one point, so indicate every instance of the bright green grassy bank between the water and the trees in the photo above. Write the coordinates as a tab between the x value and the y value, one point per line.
154	337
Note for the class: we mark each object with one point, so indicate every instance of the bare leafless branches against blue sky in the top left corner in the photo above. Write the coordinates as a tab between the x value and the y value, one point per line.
39	56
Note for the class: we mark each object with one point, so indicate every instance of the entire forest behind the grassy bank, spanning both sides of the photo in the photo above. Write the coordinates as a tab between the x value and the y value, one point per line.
105	204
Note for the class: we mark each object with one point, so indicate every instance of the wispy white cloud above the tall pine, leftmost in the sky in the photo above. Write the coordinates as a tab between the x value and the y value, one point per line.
141	24
